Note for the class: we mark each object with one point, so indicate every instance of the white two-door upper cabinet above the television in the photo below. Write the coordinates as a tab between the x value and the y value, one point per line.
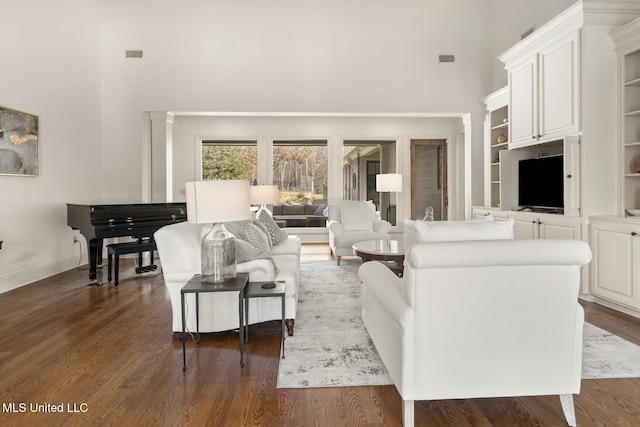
544	78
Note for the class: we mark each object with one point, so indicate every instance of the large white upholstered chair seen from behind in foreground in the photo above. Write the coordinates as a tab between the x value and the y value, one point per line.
473	319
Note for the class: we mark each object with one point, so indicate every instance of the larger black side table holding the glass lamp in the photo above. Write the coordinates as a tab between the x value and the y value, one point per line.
197	286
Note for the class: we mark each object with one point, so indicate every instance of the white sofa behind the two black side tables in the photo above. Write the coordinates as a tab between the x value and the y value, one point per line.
179	252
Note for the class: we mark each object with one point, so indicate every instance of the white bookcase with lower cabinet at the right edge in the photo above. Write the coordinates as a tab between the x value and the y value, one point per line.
615	239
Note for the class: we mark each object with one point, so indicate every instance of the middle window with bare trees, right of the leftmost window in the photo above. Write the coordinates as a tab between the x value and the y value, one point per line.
300	170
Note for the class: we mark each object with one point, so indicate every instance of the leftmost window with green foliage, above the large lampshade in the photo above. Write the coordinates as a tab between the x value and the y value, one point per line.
229	160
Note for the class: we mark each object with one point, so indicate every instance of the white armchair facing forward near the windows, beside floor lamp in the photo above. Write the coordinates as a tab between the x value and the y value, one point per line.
352	221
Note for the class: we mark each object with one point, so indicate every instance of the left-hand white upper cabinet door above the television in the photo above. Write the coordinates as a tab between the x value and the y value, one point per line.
523	101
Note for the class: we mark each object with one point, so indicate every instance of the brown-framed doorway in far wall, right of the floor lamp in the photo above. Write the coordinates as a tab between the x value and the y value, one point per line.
429	178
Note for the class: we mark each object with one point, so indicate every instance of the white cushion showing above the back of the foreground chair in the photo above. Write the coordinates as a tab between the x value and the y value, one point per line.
450	231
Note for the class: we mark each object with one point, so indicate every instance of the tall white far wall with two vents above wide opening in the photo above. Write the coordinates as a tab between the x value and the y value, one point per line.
287	56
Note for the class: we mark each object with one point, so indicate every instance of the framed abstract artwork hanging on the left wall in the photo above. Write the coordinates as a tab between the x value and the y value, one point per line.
18	143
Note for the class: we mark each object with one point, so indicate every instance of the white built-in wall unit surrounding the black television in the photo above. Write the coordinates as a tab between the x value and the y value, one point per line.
574	87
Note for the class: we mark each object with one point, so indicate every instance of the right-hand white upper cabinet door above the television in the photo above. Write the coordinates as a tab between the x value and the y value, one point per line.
558	100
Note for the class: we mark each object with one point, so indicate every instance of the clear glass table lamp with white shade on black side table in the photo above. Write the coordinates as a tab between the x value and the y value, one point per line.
217	202
